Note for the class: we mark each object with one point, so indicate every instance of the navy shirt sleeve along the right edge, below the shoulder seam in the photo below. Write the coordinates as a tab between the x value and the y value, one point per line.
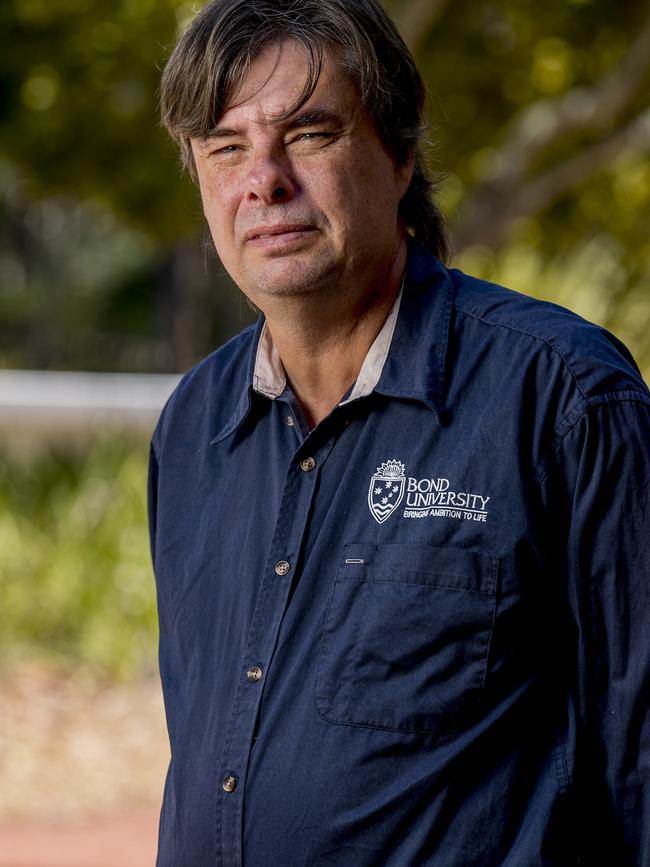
599	490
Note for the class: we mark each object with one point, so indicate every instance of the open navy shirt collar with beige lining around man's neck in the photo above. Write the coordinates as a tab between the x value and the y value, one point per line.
406	360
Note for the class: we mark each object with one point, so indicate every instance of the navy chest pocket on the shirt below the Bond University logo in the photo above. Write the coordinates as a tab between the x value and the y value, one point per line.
406	638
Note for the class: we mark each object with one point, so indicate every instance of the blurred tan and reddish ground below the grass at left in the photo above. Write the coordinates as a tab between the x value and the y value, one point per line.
82	768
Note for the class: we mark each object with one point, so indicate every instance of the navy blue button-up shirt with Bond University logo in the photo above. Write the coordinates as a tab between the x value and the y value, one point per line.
418	634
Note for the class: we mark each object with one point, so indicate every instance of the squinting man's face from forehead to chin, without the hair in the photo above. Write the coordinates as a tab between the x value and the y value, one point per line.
306	204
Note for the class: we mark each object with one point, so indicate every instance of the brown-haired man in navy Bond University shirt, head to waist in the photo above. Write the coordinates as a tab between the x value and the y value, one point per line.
398	526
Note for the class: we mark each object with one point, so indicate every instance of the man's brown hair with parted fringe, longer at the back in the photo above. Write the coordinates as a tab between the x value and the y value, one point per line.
214	54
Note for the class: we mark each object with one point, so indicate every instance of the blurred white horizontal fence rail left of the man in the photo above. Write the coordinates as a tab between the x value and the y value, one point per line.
44	402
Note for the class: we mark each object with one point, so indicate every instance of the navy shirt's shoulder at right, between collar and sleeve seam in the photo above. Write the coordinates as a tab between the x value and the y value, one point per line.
598	363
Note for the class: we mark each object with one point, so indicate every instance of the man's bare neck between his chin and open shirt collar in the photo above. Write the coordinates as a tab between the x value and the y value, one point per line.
323	343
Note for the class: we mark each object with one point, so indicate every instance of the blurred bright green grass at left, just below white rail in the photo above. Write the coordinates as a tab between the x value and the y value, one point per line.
75	573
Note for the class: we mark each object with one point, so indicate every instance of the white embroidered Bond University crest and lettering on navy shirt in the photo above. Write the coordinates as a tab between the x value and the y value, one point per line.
425	498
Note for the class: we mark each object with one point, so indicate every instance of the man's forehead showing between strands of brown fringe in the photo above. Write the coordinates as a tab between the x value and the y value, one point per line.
277	77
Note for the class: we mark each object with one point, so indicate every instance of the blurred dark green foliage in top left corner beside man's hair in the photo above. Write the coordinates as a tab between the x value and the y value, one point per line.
79	114
